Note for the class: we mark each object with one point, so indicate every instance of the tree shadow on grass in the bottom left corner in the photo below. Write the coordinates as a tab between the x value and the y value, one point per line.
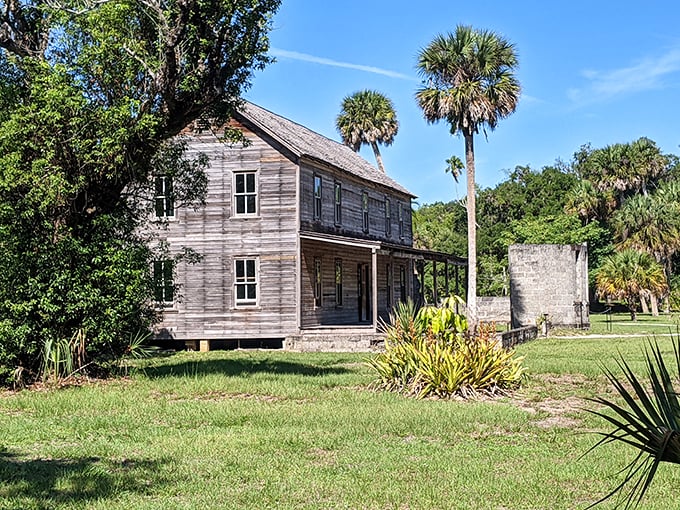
29	483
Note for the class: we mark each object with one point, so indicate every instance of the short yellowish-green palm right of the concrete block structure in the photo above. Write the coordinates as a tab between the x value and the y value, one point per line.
628	273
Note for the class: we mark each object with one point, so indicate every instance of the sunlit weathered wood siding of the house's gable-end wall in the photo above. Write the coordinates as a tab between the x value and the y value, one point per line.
206	308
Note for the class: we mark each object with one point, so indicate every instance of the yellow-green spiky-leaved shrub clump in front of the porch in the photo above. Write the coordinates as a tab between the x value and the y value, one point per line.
429	352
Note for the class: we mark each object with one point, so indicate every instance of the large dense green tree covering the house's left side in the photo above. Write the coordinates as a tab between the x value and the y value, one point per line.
91	95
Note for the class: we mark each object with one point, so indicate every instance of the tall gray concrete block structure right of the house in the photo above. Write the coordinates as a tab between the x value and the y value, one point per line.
549	279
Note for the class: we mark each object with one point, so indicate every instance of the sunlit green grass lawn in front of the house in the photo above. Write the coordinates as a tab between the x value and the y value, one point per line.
272	429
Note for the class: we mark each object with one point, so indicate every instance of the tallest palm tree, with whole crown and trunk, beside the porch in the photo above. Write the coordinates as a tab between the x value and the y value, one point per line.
469	83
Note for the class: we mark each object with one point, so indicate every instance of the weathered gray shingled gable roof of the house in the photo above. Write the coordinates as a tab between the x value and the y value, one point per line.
302	141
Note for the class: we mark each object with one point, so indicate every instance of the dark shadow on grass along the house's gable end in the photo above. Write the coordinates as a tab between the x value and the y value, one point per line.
240	367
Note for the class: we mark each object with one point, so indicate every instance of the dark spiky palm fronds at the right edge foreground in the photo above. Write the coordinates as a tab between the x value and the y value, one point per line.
648	420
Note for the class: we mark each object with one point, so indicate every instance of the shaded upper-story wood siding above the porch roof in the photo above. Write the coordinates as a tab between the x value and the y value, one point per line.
352	213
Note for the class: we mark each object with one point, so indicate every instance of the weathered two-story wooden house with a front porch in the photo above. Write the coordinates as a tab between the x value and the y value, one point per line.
303	242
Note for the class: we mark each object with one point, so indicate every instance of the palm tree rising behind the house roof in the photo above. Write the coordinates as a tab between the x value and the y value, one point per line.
367	117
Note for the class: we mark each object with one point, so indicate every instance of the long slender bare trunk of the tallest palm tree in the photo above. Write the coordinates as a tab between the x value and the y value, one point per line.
472	231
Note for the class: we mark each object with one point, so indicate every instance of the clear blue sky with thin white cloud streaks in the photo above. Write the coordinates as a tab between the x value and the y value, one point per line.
591	71
